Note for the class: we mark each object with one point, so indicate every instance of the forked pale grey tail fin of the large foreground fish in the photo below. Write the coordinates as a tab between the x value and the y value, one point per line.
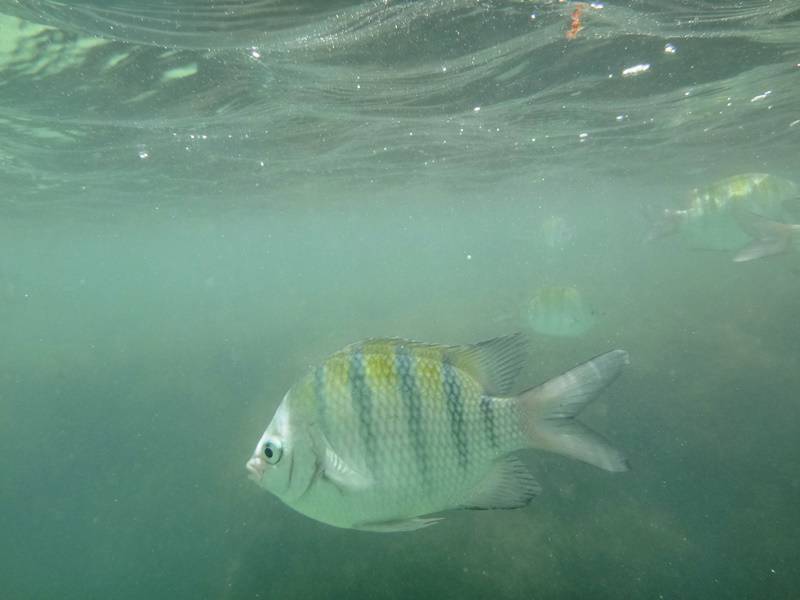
549	412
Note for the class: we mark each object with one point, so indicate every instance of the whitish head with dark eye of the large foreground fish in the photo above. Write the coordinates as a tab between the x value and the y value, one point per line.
280	454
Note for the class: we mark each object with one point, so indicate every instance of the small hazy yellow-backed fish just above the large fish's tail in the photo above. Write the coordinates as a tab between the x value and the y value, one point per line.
559	311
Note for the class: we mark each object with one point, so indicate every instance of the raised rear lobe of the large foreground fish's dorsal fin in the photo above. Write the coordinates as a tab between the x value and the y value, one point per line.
494	363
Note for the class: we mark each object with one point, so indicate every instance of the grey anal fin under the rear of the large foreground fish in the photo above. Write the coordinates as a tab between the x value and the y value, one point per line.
508	484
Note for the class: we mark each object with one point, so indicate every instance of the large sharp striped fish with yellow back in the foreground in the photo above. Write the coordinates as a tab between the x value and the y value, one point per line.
386	434
